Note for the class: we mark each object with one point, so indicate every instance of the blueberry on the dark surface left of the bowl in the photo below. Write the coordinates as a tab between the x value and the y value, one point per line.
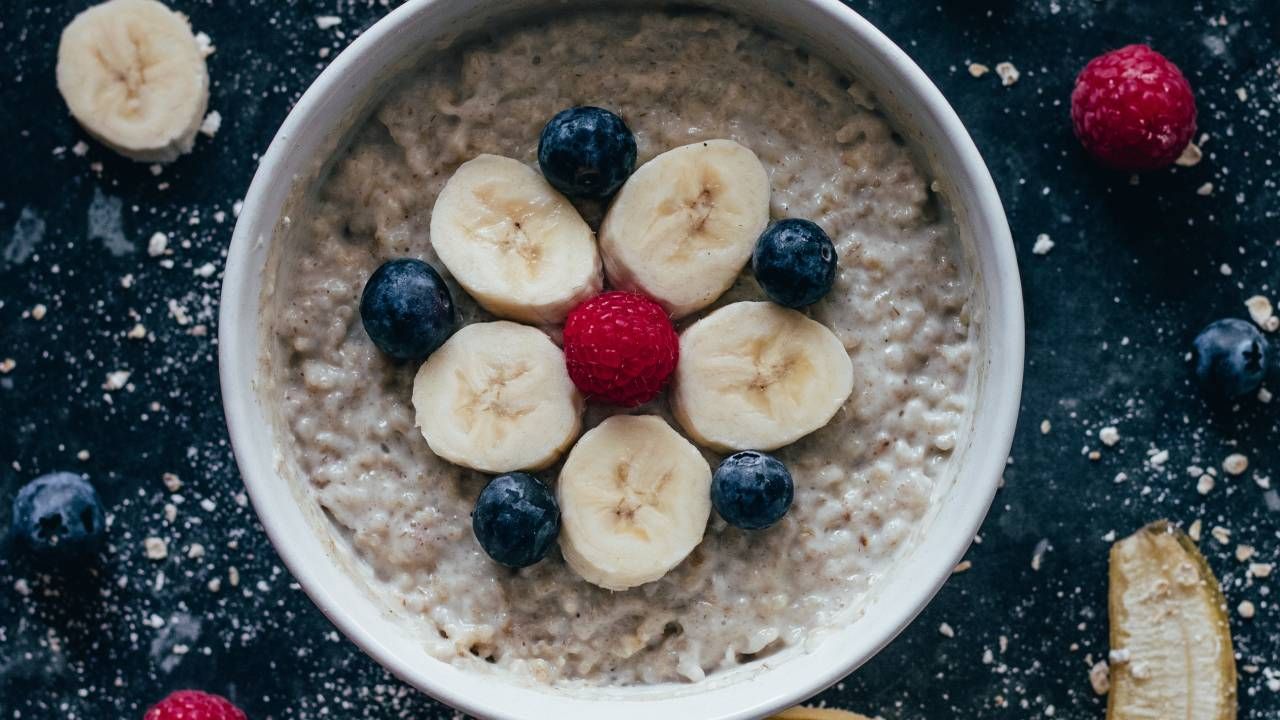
58	514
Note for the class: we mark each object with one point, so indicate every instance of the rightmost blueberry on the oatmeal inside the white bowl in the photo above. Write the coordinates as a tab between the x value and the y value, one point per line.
796	263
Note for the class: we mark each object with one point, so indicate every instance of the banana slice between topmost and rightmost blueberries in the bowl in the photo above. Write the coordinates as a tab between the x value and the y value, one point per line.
685	224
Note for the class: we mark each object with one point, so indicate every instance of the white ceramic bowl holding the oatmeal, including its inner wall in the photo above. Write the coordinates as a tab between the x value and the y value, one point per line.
344	95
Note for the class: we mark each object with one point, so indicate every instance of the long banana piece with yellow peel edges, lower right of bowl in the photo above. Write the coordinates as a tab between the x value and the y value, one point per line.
1171	628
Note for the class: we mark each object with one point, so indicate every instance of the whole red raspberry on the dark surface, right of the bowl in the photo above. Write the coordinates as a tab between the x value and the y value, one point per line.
1133	110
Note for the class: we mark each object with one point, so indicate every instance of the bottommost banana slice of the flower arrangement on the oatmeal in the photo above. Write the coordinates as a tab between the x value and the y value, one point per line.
634	500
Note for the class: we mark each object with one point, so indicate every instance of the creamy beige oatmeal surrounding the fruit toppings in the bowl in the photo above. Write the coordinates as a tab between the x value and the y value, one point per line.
863	484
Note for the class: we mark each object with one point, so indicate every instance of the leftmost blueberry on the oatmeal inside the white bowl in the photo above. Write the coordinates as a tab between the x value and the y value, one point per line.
406	309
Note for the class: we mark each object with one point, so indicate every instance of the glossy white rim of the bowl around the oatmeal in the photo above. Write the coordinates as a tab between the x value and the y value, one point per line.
1005	368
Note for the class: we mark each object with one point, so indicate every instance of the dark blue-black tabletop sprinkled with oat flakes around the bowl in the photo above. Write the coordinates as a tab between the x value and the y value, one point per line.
1135	272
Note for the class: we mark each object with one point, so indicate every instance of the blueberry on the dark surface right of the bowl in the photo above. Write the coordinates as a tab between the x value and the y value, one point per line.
1231	359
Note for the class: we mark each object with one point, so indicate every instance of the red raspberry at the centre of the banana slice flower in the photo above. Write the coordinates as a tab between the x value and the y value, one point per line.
620	348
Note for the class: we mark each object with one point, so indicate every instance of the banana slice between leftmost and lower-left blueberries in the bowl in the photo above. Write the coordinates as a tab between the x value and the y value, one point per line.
497	398
